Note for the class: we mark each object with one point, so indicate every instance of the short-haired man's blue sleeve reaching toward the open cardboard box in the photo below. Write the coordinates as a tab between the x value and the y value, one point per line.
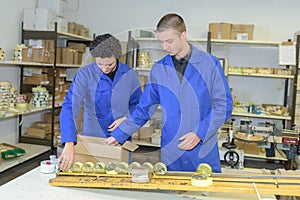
142	113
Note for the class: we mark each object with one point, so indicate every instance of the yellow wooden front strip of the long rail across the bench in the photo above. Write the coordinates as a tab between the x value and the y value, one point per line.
175	184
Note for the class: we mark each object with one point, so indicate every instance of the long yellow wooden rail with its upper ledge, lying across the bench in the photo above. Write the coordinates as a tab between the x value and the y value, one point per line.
232	183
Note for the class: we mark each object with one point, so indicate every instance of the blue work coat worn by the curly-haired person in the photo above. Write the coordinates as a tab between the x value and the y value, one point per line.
104	100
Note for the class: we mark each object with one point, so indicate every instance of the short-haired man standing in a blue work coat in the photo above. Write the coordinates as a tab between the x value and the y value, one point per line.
194	96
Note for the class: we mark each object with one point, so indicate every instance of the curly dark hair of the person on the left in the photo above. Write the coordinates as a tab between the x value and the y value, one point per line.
105	46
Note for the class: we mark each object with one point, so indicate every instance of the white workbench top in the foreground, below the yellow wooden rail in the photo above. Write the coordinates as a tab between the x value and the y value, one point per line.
35	185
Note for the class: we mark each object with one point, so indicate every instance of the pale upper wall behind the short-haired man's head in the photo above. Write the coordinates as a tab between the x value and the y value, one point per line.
273	19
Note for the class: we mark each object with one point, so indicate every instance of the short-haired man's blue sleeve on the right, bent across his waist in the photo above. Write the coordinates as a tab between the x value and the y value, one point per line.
221	105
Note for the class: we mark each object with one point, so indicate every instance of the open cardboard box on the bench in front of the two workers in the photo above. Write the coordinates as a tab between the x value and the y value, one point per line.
92	149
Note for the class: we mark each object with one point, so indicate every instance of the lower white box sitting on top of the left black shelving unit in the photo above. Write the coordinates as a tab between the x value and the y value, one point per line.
38	19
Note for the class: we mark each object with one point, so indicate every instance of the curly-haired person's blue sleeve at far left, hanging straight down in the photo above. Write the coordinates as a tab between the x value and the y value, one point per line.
71	108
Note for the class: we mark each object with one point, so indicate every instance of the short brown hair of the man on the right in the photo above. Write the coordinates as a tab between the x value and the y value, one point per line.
171	21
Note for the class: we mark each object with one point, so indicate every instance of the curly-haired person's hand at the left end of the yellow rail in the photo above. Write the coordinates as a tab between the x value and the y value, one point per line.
67	157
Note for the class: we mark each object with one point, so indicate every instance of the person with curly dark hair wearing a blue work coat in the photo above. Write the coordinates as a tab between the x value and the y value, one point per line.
108	90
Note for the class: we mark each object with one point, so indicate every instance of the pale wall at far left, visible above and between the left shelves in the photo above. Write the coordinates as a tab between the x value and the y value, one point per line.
10	35
